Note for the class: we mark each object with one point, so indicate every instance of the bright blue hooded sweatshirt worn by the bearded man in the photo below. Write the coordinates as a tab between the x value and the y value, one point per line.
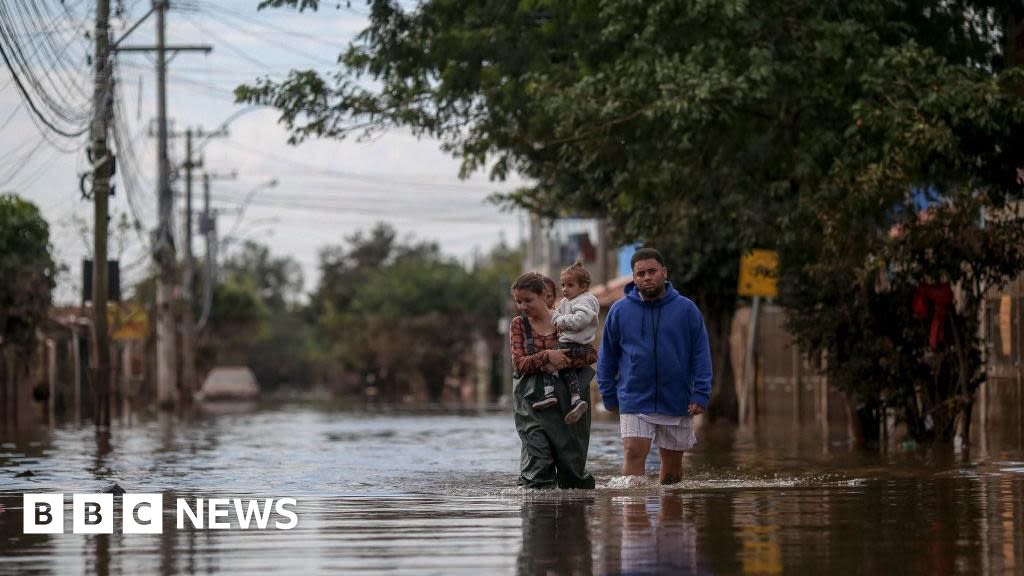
655	357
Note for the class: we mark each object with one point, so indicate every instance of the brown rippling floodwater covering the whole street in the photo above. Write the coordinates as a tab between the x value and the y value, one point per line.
437	495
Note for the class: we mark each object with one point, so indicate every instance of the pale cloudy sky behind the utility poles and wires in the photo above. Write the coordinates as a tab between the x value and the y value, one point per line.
325	191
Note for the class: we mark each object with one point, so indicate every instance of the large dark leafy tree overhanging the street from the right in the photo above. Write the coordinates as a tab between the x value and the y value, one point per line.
719	127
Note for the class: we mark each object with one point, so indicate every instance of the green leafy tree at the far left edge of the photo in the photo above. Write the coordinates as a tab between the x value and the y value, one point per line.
28	271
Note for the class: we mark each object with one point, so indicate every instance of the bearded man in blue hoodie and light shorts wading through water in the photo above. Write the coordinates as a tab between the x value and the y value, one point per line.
655	367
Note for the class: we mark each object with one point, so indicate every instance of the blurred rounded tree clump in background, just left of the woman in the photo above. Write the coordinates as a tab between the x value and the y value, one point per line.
403	317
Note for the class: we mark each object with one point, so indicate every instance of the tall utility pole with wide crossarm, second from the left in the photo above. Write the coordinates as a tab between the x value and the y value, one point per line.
164	253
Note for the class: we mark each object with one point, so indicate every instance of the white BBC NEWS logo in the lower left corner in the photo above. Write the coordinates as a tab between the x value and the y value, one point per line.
144	514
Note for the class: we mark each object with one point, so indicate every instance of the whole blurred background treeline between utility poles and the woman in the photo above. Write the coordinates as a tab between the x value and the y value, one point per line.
394	314
